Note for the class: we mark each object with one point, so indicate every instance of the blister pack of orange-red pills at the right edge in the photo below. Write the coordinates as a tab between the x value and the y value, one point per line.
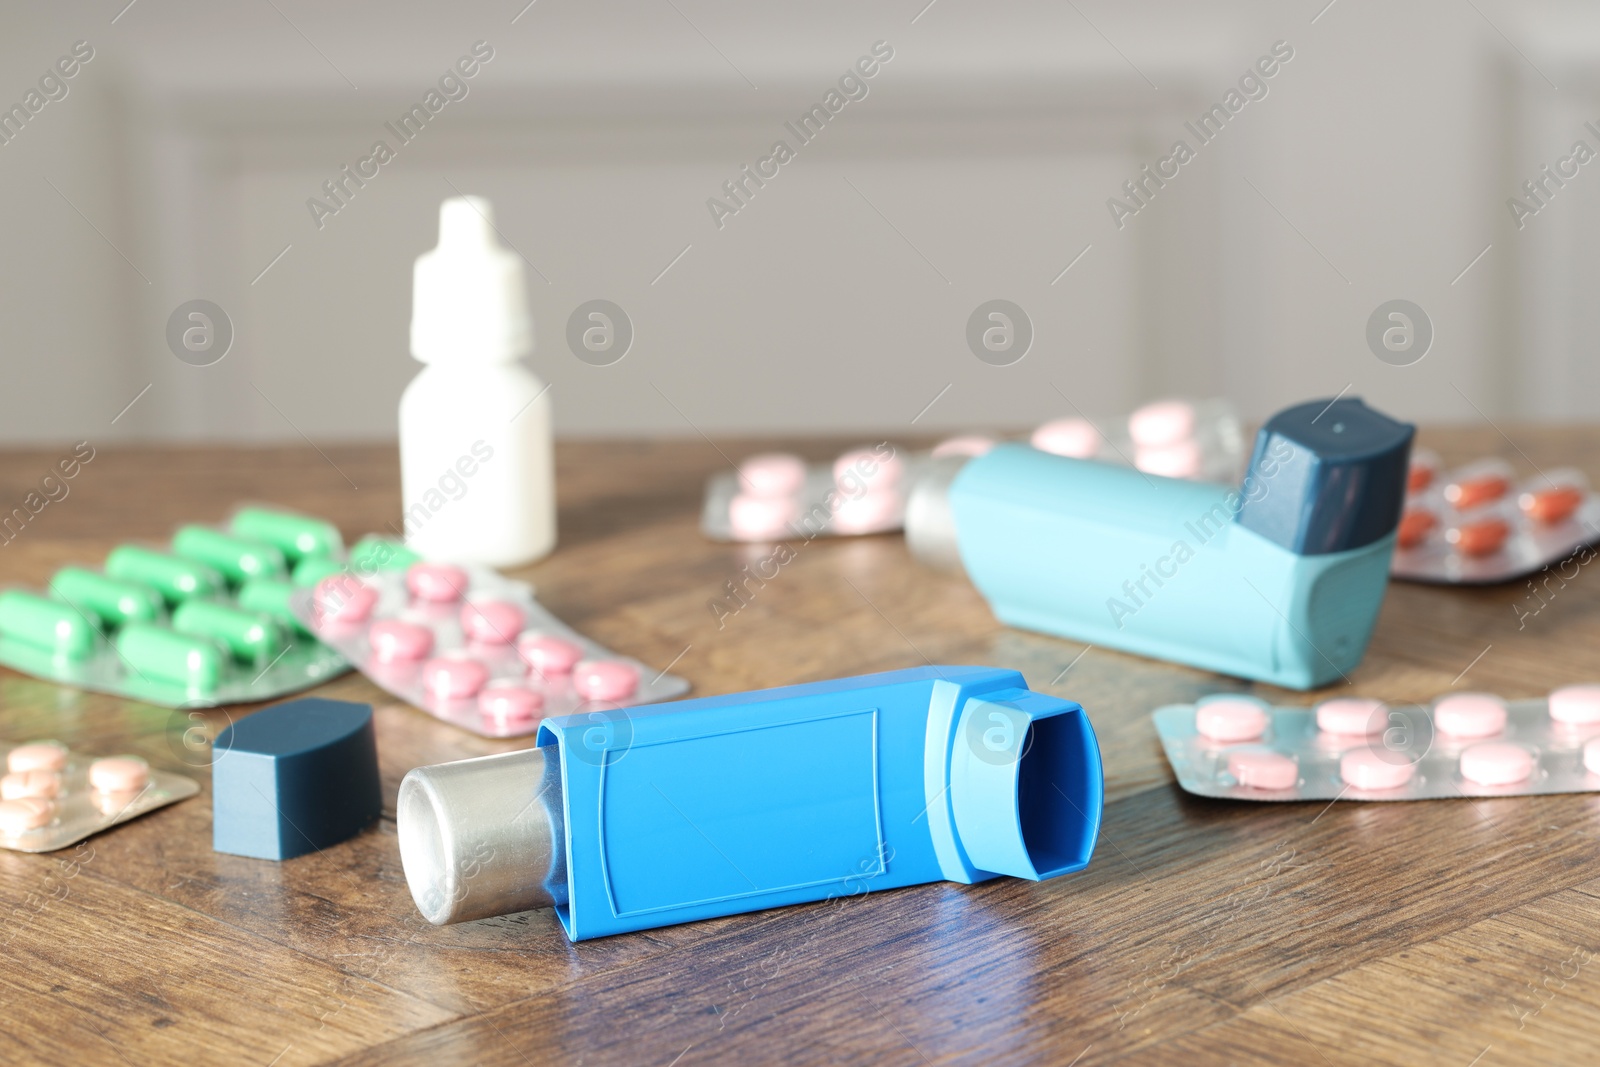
1478	524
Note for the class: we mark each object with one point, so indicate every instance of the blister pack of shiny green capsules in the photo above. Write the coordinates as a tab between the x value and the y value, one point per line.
202	623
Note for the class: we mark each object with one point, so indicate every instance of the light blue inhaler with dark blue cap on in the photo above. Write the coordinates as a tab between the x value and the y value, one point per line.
1278	581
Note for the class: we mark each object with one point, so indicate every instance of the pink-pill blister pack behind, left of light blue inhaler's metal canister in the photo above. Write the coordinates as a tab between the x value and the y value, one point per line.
777	497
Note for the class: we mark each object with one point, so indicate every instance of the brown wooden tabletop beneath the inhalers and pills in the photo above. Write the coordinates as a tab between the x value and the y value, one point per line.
1204	932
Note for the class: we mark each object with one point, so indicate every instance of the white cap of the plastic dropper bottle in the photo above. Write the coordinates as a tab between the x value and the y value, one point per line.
470	295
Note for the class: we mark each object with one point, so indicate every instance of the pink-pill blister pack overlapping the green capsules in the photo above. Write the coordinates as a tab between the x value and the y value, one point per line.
473	649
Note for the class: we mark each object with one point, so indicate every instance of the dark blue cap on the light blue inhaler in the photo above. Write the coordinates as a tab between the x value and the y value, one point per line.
1327	478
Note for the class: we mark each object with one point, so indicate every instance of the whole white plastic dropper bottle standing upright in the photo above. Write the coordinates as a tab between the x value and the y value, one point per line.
478	473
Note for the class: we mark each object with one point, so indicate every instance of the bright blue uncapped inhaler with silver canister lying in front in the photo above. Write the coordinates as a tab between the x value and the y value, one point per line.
735	804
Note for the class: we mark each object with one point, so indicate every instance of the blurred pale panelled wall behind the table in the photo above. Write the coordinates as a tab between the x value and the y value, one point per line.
978	167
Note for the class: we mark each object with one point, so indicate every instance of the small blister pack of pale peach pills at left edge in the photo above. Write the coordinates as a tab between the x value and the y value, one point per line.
52	797
